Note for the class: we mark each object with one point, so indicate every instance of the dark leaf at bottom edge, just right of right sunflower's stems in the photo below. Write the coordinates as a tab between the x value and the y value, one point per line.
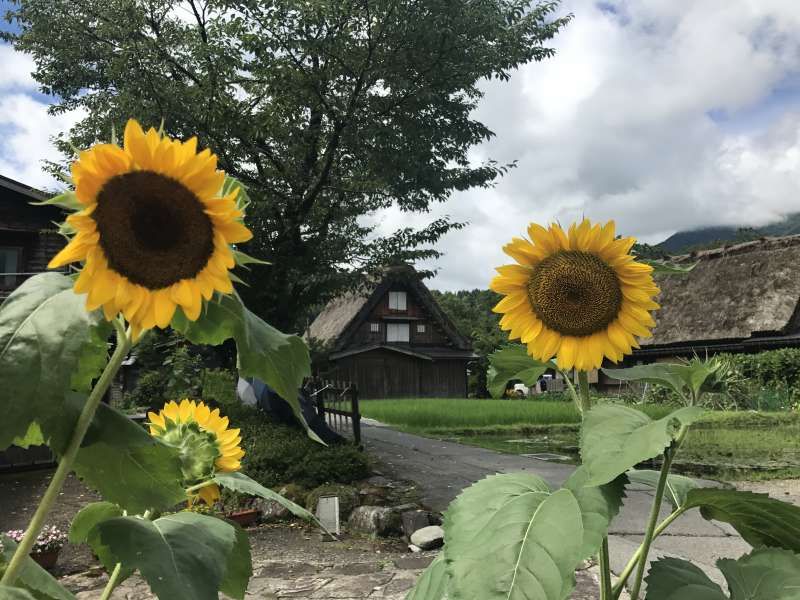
677	579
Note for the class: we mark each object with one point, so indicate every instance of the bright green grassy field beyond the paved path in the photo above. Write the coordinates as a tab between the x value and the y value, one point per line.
726	445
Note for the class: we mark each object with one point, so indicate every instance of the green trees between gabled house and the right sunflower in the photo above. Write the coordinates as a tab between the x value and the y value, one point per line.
471	312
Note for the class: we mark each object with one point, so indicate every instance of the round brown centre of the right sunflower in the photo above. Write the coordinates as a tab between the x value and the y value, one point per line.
575	293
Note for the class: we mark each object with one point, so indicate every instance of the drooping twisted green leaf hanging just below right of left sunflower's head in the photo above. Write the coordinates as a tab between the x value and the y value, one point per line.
279	360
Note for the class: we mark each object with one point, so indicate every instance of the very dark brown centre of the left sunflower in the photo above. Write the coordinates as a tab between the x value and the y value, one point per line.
152	229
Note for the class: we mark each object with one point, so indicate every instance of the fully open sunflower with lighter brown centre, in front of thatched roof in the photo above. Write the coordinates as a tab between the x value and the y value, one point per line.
579	296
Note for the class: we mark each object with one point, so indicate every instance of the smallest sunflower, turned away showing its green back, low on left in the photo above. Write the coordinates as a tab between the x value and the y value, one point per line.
205	443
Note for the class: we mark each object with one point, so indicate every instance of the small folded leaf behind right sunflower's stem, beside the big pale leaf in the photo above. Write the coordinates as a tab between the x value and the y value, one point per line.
599	505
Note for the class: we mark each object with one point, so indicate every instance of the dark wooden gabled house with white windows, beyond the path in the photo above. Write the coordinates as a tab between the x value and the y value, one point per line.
393	341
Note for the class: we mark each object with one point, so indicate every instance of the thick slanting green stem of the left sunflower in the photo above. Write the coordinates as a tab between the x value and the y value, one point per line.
68	459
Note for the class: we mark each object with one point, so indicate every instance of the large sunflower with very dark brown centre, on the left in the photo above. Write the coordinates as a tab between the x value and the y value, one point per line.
154	230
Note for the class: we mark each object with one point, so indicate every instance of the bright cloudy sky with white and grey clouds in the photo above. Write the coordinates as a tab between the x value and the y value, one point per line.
662	115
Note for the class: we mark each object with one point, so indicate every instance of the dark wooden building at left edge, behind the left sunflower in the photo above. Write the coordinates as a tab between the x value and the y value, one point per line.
28	234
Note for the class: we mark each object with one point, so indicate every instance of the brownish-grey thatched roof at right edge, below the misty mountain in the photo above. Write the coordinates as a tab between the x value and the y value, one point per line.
742	291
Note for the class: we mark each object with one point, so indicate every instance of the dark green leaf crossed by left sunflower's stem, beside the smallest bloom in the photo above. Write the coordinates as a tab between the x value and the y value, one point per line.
119	459
